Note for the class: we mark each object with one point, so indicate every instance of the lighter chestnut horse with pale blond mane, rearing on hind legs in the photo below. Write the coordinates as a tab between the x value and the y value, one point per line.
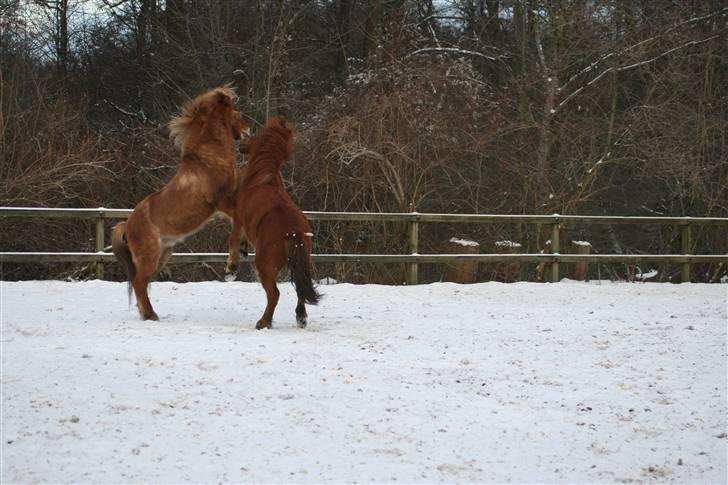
205	132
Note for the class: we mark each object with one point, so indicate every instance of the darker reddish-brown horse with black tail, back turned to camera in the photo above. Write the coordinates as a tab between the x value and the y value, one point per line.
267	216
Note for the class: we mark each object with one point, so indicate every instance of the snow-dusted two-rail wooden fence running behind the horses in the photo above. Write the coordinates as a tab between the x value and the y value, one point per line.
413	259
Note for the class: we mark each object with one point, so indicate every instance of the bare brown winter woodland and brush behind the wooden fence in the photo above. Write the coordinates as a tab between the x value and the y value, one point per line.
465	106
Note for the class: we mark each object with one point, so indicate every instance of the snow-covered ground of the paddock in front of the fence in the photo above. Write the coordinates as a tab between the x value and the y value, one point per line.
567	382
